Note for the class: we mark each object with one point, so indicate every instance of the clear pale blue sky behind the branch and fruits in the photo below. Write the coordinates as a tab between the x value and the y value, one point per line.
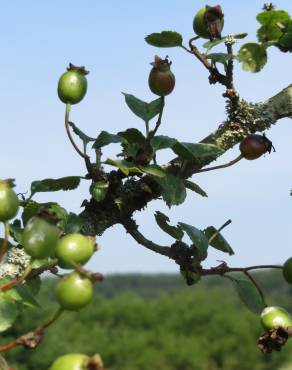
40	38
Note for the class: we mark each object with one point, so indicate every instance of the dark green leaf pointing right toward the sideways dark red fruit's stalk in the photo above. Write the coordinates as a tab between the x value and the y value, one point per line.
197	152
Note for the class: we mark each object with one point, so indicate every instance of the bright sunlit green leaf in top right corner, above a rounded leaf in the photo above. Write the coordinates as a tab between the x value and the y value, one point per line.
270	21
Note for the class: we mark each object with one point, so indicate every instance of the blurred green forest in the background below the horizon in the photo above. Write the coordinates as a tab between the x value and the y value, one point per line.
146	322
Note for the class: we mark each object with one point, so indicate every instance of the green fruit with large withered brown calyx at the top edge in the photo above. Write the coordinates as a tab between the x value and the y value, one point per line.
208	22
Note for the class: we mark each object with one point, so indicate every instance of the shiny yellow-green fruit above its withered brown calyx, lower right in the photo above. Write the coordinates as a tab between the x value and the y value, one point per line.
274	317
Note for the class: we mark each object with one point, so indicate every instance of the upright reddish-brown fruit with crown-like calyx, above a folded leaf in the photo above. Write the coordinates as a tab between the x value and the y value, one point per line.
161	80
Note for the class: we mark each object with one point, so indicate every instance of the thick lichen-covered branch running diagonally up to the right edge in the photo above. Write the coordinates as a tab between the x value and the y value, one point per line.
246	118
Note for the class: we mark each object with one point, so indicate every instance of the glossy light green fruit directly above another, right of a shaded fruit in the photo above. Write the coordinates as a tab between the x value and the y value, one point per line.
73	249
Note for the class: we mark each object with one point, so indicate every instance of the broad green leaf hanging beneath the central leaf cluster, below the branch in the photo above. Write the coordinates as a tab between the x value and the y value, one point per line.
173	189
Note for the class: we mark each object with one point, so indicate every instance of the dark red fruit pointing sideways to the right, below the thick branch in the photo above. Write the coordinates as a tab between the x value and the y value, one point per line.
254	146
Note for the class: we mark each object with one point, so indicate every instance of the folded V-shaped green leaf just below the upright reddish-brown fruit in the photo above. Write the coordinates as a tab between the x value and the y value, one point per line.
140	108
